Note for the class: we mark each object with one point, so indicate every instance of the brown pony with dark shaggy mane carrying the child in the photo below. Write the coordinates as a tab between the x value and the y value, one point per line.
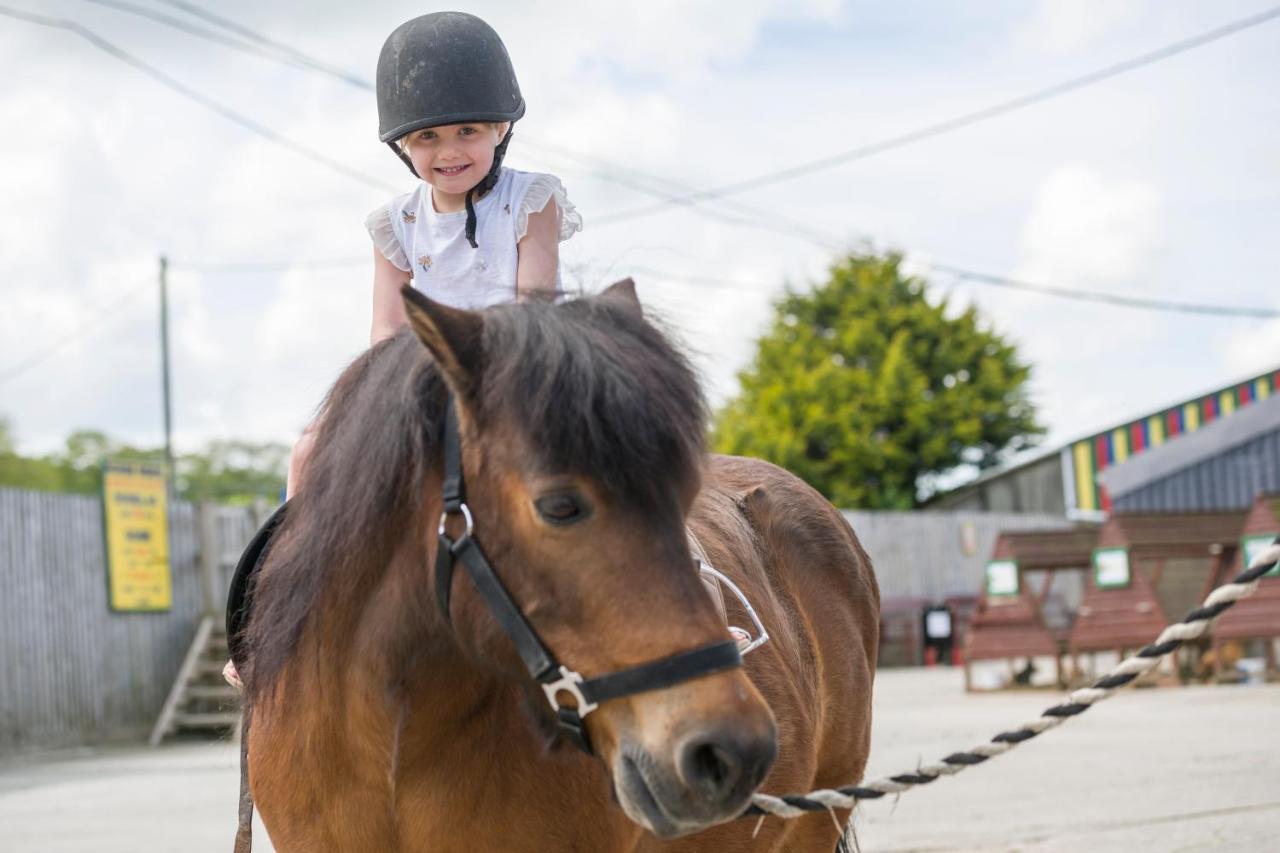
380	724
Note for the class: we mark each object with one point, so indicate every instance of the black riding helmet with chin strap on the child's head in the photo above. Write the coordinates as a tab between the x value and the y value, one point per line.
447	69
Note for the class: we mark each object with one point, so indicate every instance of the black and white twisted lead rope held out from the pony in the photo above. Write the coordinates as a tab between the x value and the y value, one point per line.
1080	701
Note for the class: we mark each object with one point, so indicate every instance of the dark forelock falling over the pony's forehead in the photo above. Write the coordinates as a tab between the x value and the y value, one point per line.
604	393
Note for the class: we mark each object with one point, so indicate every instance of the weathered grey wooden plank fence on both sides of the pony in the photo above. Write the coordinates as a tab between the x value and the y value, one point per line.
75	673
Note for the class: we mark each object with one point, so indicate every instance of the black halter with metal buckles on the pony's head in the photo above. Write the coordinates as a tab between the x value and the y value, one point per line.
542	665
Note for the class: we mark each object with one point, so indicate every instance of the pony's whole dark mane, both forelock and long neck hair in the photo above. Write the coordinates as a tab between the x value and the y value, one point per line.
602	393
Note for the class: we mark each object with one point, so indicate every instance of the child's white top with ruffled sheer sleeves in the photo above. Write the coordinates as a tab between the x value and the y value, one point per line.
433	248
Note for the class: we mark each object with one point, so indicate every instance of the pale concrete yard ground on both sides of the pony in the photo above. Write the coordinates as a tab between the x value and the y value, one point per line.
1194	769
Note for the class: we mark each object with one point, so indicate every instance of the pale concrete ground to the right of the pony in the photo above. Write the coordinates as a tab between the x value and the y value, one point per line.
1174	769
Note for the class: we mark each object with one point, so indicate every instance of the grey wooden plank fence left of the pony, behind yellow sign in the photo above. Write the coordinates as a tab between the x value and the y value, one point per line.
72	672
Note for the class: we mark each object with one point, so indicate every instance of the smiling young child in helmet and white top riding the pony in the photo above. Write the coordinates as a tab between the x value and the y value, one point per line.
472	234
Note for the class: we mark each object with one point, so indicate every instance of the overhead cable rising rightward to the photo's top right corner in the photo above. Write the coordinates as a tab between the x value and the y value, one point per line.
953	125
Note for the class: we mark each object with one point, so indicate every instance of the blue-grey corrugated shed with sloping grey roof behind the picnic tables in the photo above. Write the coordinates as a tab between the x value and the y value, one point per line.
1222	467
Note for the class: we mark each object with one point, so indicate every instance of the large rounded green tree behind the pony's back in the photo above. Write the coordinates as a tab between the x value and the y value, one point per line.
868	391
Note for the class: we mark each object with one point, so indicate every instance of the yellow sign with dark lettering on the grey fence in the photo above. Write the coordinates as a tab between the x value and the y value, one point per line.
135	504
